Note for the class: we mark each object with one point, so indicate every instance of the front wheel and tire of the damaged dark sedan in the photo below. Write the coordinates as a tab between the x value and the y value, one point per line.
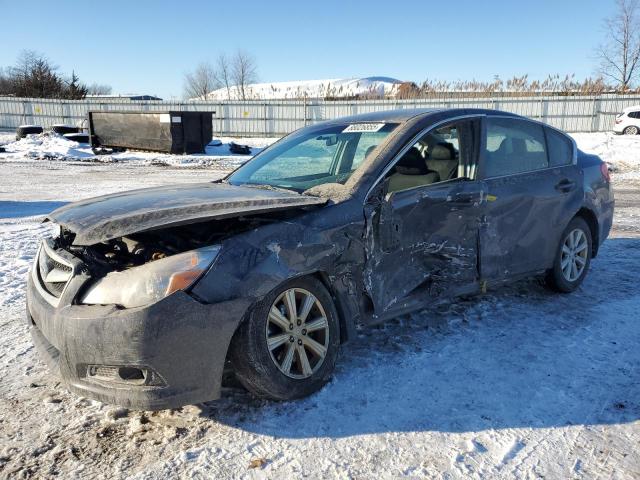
261	370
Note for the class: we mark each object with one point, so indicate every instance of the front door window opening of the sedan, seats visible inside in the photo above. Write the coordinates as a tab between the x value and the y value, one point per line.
442	154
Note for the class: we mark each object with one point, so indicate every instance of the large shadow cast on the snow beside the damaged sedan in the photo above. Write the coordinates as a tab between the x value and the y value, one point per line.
519	357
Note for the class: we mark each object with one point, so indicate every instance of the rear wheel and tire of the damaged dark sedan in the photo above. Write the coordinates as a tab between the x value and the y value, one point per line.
567	274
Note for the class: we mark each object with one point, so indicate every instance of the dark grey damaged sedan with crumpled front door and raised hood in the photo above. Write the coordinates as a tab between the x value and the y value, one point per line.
145	298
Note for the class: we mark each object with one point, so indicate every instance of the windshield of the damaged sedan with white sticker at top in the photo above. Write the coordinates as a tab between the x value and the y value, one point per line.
313	157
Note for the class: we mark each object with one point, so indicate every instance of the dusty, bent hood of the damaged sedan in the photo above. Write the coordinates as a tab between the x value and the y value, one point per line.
111	216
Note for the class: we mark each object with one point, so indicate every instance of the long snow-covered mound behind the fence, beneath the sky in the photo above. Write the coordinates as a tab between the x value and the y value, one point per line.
332	88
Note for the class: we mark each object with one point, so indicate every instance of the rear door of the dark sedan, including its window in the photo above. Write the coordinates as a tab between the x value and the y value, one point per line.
533	190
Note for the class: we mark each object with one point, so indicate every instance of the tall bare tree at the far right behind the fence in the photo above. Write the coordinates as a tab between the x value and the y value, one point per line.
619	55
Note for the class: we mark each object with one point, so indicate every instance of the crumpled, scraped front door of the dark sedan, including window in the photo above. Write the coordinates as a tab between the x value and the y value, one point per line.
422	241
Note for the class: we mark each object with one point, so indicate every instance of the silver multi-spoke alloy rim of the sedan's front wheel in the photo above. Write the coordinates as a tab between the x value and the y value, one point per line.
297	333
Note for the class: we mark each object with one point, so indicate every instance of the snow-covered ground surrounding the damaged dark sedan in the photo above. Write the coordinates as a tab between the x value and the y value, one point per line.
516	383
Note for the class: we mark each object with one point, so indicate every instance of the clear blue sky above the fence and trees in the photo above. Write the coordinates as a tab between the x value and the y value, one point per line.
147	46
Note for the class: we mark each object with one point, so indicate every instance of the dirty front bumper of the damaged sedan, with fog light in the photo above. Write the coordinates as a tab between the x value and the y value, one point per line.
168	354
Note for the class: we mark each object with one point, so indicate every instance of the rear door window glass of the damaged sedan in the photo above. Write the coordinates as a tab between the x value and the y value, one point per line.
513	146
